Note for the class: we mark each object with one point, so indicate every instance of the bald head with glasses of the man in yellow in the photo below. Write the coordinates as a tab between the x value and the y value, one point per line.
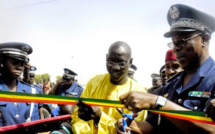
118	62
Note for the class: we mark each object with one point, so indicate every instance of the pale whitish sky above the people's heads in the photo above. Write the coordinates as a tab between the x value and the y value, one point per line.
76	34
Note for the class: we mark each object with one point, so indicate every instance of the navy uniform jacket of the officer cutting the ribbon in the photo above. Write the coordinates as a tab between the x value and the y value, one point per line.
203	80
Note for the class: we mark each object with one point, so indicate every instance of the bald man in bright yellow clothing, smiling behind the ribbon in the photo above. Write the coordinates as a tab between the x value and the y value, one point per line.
107	86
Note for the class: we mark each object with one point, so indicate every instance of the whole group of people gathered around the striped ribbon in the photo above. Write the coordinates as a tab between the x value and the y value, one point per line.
188	68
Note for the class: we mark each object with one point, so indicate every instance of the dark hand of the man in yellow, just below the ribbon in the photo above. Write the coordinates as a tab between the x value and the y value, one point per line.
86	112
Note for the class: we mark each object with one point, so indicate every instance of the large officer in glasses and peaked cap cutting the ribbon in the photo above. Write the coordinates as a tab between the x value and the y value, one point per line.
190	31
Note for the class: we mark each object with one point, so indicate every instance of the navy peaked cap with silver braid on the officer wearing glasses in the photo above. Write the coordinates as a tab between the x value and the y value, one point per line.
183	18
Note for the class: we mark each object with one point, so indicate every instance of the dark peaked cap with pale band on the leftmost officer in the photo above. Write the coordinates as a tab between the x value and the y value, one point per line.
17	50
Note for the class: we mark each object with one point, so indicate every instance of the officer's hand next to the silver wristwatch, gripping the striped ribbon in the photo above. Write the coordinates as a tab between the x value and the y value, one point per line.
138	101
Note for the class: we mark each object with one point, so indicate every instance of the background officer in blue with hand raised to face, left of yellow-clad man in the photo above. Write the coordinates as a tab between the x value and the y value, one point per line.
66	86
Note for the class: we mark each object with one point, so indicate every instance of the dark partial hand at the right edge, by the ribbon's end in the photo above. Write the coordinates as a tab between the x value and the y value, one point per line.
210	109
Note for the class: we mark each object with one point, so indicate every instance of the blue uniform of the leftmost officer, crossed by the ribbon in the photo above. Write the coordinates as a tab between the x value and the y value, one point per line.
15	112
